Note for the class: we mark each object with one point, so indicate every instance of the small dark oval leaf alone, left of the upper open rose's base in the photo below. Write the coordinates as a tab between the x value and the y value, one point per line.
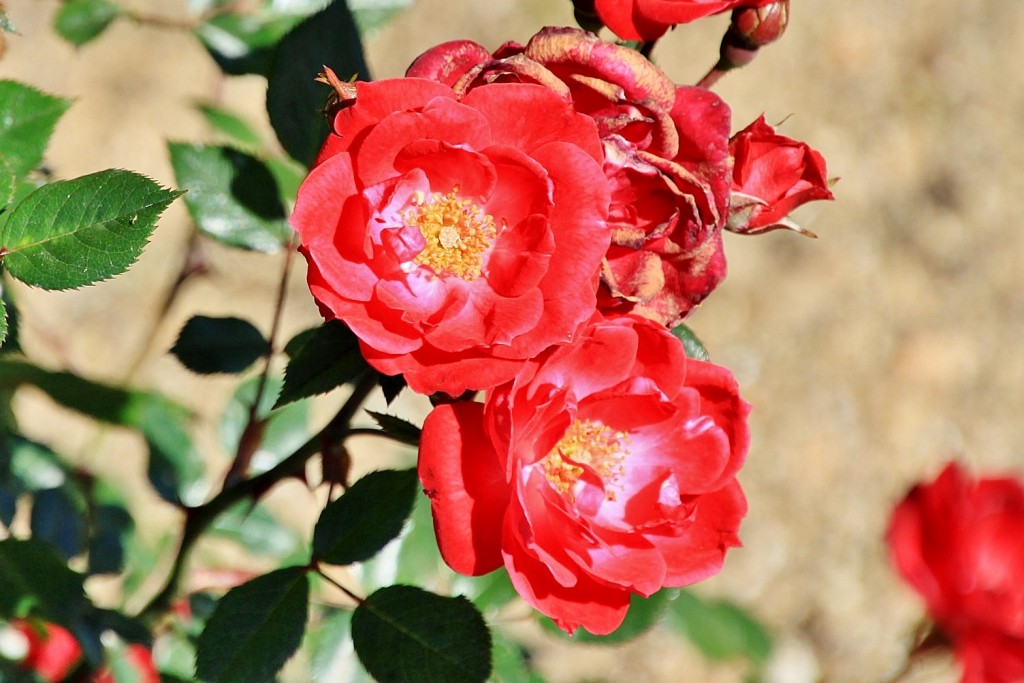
209	346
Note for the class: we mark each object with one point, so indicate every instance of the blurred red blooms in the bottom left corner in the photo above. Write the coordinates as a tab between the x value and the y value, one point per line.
53	655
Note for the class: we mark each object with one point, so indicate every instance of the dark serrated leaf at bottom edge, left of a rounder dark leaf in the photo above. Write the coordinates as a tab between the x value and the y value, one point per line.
255	629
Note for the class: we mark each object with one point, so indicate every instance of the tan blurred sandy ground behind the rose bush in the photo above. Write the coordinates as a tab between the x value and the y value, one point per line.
872	356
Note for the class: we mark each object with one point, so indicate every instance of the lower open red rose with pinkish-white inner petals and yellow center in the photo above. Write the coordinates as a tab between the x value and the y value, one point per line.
607	468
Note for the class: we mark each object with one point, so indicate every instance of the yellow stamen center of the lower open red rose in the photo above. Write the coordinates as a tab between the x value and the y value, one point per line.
586	445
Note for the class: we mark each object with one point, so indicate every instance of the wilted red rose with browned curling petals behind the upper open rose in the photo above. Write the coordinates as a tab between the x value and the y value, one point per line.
666	156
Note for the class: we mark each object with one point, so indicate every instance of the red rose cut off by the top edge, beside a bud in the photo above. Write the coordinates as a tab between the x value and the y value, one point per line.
649	20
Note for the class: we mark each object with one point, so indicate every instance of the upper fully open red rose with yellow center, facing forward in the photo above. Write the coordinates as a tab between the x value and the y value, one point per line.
457	238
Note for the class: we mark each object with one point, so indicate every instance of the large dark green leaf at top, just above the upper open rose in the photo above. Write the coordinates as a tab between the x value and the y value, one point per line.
294	100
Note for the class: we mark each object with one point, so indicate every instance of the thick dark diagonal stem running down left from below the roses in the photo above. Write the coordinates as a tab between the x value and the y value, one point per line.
199	519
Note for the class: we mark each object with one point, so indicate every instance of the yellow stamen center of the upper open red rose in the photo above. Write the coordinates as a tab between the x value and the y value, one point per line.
457	234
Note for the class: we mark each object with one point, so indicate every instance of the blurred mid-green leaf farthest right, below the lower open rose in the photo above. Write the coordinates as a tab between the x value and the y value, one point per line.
719	629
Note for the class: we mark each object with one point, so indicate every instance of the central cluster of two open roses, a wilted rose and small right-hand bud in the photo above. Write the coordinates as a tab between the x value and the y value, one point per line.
532	223
